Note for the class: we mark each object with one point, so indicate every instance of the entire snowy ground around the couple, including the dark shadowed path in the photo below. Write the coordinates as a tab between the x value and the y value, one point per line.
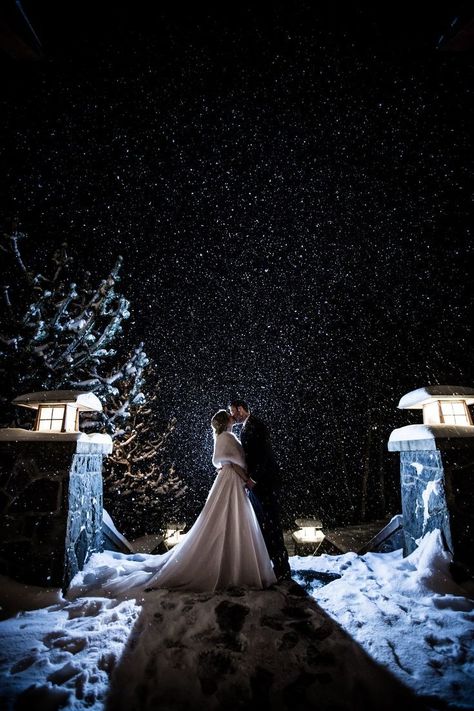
240	649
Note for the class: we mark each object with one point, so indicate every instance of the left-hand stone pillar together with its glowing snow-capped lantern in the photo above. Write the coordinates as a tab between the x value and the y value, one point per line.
51	490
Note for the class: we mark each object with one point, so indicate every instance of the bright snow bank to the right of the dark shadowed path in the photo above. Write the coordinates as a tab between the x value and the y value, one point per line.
407	613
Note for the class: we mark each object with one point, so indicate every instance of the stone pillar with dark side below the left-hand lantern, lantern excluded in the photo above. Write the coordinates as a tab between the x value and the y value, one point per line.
50	509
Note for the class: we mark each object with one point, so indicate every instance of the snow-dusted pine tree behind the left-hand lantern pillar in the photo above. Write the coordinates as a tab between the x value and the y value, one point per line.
56	333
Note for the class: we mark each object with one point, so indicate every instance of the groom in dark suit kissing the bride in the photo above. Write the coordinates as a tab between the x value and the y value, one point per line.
263	470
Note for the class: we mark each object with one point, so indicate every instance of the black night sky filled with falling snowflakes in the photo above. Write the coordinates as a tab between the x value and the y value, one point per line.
291	188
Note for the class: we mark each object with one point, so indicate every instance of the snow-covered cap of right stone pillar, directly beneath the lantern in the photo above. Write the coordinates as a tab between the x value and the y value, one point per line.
417	437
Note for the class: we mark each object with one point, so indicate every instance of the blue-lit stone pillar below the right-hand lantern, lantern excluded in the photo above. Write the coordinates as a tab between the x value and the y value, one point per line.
437	491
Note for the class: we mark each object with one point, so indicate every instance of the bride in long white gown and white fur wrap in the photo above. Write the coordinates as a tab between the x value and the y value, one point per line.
225	546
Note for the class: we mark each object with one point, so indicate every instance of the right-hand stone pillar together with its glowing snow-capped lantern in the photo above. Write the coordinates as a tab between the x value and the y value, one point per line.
437	470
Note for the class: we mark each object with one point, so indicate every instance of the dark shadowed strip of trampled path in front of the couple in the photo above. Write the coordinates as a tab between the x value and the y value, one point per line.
275	649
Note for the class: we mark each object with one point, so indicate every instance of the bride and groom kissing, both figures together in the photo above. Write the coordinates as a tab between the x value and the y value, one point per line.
237	539
